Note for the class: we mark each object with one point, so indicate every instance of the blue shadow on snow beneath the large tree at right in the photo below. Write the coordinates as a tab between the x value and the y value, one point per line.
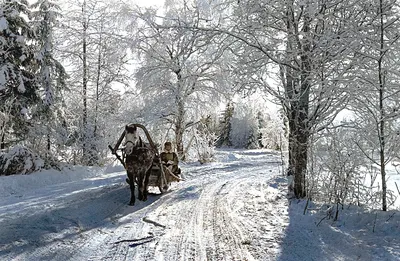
349	238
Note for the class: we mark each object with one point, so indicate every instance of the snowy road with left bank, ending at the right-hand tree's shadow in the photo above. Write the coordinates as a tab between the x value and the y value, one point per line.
218	213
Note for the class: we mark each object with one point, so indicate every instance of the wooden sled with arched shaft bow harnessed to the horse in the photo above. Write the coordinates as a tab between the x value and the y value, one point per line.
160	176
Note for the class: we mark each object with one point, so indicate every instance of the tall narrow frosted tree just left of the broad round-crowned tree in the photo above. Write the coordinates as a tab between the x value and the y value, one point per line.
111	69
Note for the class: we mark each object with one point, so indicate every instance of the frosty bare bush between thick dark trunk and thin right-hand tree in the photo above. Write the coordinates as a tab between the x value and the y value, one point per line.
337	175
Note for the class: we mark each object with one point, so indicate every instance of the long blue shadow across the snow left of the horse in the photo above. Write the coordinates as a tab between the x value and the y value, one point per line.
95	208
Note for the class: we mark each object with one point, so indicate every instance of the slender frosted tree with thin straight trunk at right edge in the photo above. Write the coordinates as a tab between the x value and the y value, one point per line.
376	102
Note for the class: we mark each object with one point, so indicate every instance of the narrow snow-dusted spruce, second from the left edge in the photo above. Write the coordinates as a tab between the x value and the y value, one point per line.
50	77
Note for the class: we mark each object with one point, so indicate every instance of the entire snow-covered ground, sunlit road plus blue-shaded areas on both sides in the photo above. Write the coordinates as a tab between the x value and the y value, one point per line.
233	209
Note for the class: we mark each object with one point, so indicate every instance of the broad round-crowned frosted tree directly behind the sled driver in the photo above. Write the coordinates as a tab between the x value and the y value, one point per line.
178	68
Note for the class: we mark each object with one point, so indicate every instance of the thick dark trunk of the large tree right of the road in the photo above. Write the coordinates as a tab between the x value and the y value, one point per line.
297	90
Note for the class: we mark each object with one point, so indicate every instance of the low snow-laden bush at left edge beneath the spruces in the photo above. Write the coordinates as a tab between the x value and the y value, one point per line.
19	160
